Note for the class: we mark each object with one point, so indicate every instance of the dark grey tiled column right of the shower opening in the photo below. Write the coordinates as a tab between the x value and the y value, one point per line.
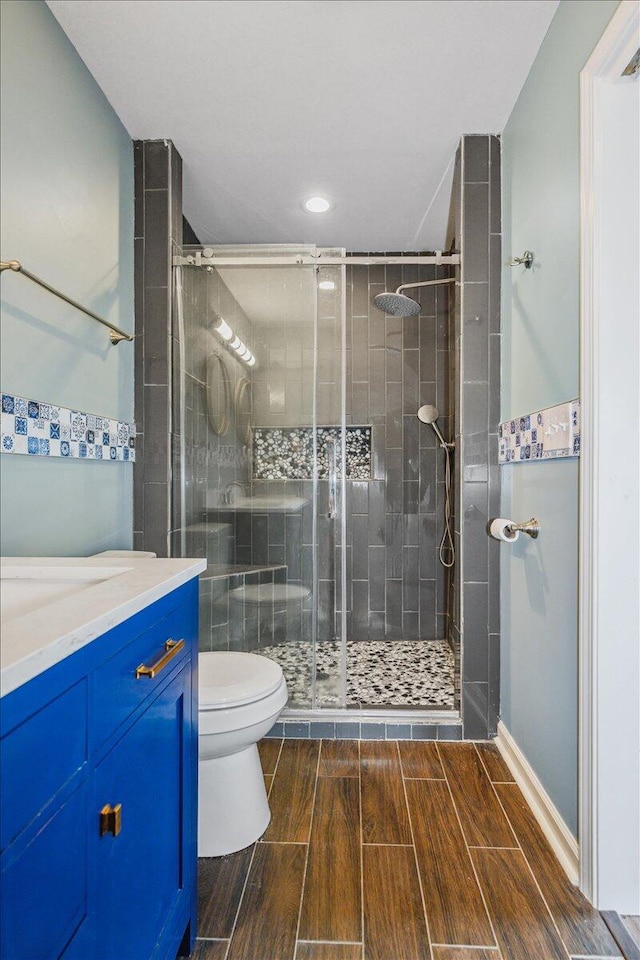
476	393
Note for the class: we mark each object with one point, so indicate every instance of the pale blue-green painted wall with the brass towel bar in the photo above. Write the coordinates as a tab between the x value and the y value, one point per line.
67	214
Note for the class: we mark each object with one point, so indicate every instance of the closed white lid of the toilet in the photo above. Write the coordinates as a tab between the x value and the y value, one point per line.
231	679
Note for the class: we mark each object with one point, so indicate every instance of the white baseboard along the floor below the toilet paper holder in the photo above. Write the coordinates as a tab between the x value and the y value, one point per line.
563	843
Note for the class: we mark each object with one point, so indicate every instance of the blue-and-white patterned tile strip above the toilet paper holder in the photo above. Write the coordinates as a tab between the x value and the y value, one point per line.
543	435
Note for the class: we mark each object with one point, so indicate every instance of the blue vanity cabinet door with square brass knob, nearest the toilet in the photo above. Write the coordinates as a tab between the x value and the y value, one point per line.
136	877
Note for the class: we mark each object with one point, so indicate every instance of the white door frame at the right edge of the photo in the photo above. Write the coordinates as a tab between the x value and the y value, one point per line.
606	737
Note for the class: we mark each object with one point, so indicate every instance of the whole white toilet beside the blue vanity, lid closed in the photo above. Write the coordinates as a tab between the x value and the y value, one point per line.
241	697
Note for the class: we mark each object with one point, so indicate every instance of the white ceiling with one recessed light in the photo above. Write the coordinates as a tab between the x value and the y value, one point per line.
271	101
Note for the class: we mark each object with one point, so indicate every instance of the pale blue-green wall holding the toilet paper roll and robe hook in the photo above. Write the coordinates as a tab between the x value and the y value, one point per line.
540	317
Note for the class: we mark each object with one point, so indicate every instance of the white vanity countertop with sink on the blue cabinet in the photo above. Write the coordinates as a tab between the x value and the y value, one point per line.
33	641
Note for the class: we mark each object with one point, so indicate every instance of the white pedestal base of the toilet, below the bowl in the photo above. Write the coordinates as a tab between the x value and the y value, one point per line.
233	810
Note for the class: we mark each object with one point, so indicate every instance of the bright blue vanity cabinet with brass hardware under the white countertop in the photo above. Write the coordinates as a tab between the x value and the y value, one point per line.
99	849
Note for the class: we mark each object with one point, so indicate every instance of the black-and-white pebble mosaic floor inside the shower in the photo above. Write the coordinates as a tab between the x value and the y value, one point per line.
401	673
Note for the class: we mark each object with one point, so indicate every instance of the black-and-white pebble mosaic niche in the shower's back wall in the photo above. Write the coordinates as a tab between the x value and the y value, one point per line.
286	453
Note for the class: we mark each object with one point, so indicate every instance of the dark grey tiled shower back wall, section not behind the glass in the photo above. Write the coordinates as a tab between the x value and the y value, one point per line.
395	520
